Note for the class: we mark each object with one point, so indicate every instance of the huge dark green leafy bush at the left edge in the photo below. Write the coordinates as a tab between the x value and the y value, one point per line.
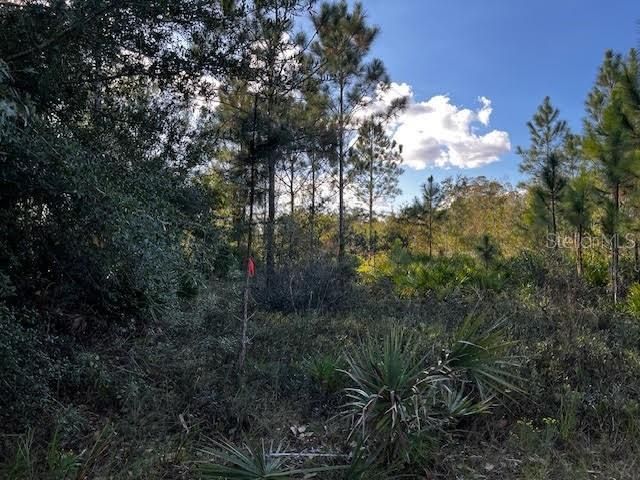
102	218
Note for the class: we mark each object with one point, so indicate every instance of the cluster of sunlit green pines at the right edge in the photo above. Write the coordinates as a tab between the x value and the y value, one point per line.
587	183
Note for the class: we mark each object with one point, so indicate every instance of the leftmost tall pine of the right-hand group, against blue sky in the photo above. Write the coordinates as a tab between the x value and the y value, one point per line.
543	159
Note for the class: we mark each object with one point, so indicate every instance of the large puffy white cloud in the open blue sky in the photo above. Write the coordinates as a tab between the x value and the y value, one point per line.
438	133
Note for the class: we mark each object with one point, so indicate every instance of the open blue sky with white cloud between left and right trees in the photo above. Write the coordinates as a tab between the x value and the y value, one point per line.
476	70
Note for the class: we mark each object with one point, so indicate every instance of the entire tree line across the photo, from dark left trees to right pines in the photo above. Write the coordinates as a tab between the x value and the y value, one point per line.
148	148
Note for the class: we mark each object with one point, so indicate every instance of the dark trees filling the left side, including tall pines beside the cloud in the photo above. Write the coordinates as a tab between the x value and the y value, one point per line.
147	147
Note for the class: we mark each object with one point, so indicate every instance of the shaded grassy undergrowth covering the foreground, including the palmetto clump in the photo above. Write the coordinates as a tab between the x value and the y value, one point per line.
165	393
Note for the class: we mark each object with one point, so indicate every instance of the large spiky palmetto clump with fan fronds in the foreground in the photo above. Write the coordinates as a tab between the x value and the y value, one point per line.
399	392
